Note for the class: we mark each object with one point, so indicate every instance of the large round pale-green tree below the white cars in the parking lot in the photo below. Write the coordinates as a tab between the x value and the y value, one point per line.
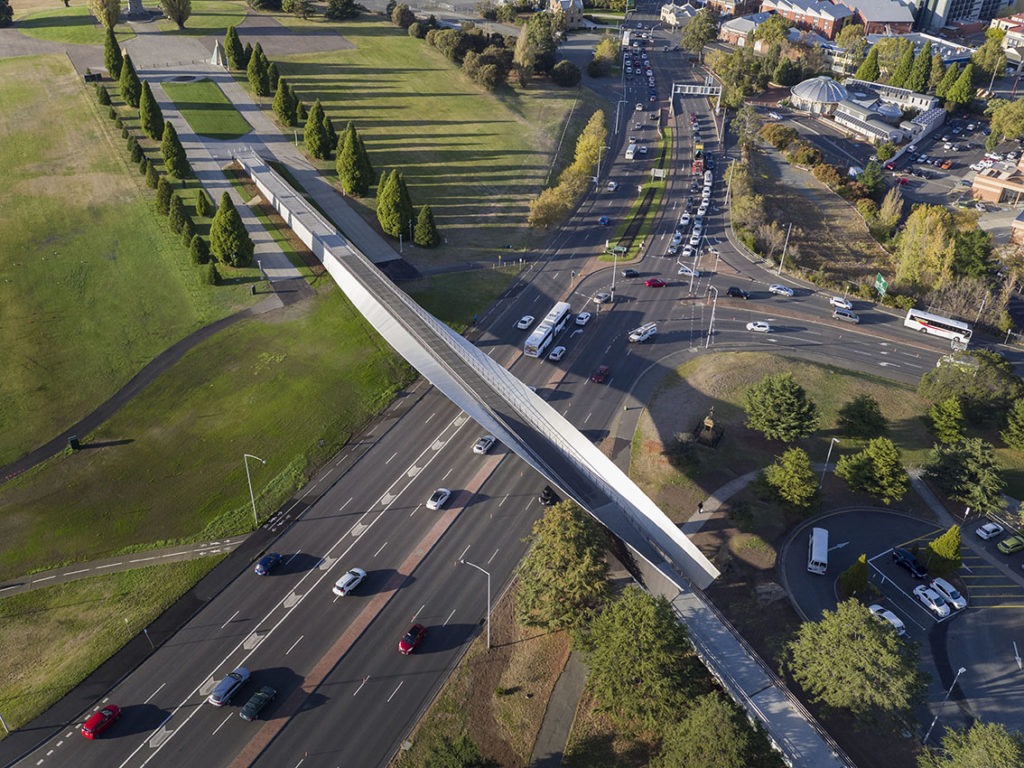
851	661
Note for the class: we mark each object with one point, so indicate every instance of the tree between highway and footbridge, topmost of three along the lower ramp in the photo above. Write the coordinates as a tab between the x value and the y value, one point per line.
564	580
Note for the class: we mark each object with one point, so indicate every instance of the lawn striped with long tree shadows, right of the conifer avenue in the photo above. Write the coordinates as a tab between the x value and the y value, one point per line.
475	157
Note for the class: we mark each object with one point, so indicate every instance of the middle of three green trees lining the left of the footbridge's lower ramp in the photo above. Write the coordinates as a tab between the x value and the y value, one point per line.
639	658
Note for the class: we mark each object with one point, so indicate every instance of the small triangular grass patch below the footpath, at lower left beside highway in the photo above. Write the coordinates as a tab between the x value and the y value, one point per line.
53	638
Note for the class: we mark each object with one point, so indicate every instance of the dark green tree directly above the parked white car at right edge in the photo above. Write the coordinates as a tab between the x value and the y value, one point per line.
969	473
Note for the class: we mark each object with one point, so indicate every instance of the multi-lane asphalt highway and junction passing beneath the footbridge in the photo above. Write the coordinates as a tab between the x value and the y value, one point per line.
347	697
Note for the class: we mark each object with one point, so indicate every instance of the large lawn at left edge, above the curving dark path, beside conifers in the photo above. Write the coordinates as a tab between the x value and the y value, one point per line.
96	285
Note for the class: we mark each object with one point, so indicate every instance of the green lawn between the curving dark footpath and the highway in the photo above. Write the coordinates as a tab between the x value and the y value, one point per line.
289	387
